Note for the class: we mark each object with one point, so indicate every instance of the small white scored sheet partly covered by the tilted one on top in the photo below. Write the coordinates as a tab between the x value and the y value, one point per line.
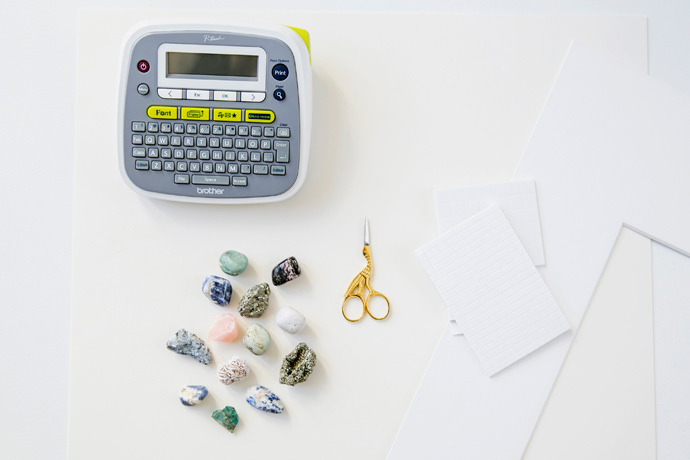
517	200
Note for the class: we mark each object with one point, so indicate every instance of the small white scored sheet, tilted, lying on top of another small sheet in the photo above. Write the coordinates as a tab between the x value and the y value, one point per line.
492	289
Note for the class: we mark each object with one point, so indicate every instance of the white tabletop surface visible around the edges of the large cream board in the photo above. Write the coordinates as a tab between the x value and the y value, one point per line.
39	61
